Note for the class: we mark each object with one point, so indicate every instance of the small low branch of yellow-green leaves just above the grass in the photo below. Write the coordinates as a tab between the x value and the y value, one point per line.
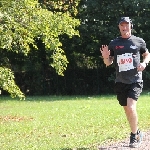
8	84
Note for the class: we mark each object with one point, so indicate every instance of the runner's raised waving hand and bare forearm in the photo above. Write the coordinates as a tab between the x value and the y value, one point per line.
108	60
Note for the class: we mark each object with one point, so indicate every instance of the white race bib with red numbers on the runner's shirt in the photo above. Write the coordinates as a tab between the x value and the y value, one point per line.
125	62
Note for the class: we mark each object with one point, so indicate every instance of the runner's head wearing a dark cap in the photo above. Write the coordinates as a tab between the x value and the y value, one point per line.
125	26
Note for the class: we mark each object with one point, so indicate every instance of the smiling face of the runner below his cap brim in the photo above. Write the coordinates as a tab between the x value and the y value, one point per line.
125	28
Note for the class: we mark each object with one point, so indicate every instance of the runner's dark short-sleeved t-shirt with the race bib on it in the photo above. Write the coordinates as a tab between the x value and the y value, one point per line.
127	53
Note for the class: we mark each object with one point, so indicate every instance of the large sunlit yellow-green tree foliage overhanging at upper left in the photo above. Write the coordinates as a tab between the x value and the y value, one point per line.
25	21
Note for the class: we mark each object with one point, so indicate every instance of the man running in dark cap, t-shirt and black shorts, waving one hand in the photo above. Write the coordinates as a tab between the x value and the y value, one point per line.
125	52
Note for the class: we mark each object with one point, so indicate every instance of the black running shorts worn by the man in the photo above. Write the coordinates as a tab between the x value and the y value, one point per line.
125	91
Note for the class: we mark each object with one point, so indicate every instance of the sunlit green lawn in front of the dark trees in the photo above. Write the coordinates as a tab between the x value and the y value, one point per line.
61	123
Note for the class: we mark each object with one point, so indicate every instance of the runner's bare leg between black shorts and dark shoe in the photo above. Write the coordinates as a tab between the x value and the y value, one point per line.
131	114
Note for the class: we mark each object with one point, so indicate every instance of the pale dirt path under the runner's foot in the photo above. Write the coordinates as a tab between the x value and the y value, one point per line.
123	145
